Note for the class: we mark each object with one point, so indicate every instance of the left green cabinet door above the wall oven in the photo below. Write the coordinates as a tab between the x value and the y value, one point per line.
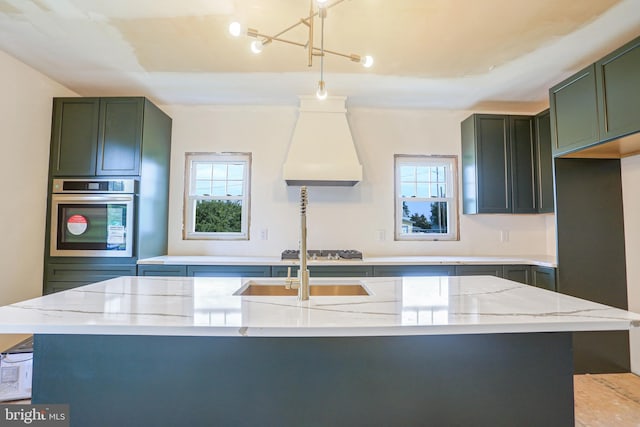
73	136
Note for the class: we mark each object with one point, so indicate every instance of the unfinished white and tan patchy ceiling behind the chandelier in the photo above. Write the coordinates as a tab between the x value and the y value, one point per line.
460	54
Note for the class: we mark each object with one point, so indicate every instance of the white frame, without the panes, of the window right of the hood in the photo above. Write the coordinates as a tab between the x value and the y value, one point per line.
453	219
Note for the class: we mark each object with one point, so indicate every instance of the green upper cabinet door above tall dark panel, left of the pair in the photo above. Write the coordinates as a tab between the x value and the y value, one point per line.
574	112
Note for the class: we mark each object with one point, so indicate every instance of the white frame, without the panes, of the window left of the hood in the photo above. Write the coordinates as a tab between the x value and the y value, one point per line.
189	212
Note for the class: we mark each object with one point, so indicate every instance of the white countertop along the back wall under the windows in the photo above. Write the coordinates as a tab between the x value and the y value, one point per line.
540	260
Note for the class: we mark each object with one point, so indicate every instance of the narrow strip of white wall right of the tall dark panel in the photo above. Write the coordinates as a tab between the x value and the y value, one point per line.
631	203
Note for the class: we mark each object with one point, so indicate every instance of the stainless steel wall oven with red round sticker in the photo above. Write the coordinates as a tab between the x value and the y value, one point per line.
92	217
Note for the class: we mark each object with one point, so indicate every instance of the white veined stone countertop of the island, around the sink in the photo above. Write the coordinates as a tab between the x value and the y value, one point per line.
187	306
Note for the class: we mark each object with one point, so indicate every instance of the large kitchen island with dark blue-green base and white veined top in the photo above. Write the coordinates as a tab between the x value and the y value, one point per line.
416	351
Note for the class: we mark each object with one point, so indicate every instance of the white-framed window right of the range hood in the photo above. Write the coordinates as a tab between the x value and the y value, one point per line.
425	198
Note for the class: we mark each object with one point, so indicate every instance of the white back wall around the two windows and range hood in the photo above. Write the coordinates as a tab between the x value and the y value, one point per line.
359	217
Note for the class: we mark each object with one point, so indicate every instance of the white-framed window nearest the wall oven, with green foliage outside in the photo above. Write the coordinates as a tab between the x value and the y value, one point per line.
217	196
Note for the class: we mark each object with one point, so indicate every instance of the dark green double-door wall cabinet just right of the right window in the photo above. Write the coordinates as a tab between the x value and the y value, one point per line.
498	170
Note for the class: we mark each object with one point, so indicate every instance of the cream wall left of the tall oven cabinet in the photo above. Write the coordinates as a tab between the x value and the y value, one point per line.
25	130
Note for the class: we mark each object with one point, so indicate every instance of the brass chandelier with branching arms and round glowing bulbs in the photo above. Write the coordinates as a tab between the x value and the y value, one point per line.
261	40
